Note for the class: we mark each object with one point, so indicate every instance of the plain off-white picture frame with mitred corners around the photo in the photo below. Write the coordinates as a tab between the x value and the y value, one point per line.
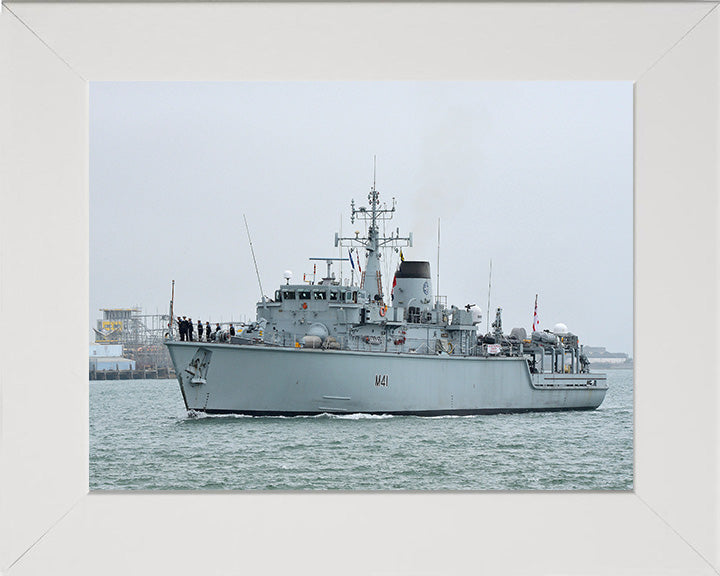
49	523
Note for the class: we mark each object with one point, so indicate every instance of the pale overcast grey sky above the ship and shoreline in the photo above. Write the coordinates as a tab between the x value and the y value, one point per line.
536	176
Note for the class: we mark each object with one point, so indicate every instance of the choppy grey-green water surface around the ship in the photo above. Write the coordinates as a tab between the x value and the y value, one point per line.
142	439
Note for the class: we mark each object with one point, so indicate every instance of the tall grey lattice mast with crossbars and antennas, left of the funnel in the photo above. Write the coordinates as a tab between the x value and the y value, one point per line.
374	213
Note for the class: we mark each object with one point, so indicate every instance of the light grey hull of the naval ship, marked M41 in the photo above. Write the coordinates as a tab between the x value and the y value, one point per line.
274	381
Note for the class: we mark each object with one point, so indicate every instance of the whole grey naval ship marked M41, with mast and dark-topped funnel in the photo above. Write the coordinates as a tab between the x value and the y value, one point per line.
345	347
